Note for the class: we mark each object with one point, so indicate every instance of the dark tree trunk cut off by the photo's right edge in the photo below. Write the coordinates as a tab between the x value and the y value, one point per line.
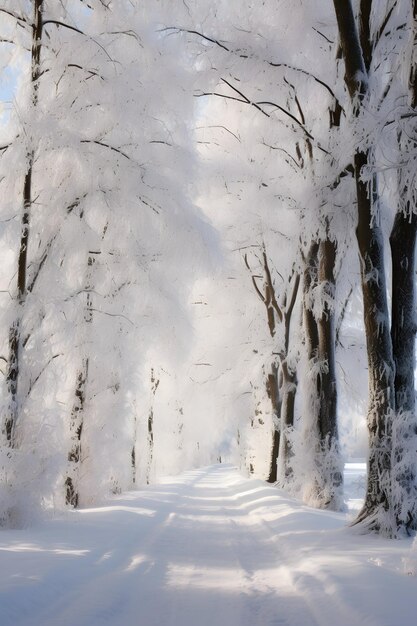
403	323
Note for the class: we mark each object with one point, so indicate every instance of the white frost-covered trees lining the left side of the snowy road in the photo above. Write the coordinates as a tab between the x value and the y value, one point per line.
92	201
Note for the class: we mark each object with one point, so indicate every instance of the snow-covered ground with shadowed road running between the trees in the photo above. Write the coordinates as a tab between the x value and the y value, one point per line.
206	548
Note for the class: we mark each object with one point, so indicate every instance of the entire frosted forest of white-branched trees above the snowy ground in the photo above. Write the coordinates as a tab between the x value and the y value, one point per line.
207	231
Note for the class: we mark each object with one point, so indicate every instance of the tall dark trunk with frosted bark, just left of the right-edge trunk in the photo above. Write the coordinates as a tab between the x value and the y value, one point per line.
378	338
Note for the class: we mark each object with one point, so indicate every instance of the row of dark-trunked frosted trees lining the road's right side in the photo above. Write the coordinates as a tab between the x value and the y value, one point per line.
366	152
